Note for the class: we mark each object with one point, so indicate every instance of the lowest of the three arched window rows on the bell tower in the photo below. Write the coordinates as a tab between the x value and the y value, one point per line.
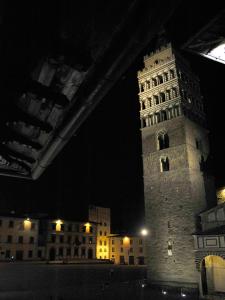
160	116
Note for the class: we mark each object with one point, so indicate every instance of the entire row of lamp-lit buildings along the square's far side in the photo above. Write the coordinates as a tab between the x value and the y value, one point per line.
64	240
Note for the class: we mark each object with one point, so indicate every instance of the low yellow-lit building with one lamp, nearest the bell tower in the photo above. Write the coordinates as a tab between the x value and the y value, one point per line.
127	249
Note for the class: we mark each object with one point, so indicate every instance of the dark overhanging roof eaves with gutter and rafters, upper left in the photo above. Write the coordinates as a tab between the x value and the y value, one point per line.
59	62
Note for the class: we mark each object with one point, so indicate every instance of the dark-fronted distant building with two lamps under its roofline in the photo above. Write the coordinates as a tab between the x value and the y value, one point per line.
66	240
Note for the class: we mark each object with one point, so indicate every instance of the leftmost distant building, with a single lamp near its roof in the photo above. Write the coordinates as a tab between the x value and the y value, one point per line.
18	238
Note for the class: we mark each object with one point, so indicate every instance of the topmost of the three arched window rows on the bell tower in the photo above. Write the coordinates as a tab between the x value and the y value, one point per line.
157	80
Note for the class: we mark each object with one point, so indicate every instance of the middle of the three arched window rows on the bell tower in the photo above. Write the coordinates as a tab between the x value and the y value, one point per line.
159	98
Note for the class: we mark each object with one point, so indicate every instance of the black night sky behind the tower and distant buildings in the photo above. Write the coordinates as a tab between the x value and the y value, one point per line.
102	164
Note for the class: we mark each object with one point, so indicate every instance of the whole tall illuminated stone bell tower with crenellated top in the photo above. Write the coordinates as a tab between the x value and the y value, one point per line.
175	149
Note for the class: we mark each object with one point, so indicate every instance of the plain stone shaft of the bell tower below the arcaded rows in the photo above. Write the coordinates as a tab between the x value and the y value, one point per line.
173	200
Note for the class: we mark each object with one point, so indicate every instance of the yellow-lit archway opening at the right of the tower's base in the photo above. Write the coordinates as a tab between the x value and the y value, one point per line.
213	274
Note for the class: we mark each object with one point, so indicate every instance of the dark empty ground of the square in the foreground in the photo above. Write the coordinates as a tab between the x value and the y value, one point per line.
23	281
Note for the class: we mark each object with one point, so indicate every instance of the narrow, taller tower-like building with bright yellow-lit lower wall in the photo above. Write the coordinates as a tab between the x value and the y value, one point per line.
101	216
